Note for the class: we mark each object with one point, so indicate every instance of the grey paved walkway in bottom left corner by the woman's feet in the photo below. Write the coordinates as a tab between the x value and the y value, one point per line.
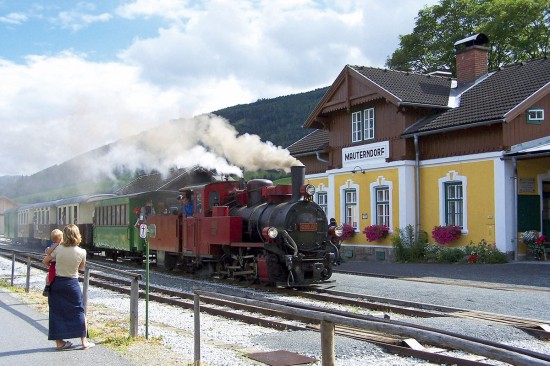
24	340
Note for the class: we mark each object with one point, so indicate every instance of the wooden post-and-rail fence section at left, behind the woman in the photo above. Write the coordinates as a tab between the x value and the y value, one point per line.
29	257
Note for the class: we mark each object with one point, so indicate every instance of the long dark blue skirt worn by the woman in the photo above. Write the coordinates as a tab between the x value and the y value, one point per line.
67	318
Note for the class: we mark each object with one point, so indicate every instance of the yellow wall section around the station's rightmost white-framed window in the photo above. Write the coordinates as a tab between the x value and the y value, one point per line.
480	197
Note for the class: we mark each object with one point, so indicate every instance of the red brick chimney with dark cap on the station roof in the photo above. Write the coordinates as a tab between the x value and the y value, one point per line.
472	58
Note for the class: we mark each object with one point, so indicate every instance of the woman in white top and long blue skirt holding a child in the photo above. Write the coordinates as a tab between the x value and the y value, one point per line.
67	318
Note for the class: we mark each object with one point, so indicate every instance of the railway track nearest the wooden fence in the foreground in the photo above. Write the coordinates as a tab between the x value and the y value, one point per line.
395	344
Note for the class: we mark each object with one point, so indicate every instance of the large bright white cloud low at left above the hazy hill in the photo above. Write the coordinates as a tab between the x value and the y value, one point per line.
53	108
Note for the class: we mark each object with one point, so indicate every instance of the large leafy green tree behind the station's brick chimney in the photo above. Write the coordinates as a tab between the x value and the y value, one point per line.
518	30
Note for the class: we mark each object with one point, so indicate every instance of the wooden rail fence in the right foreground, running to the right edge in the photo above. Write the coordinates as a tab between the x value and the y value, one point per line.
328	321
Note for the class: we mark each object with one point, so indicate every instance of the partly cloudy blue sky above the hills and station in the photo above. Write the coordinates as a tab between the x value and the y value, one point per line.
76	75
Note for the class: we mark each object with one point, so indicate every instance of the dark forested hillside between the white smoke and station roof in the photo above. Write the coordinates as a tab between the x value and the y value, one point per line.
278	120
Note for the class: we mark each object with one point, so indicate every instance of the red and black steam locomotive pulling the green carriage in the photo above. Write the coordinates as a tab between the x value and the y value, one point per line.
255	232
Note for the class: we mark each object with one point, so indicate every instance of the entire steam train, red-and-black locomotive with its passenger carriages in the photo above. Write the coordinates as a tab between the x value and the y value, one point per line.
255	231
